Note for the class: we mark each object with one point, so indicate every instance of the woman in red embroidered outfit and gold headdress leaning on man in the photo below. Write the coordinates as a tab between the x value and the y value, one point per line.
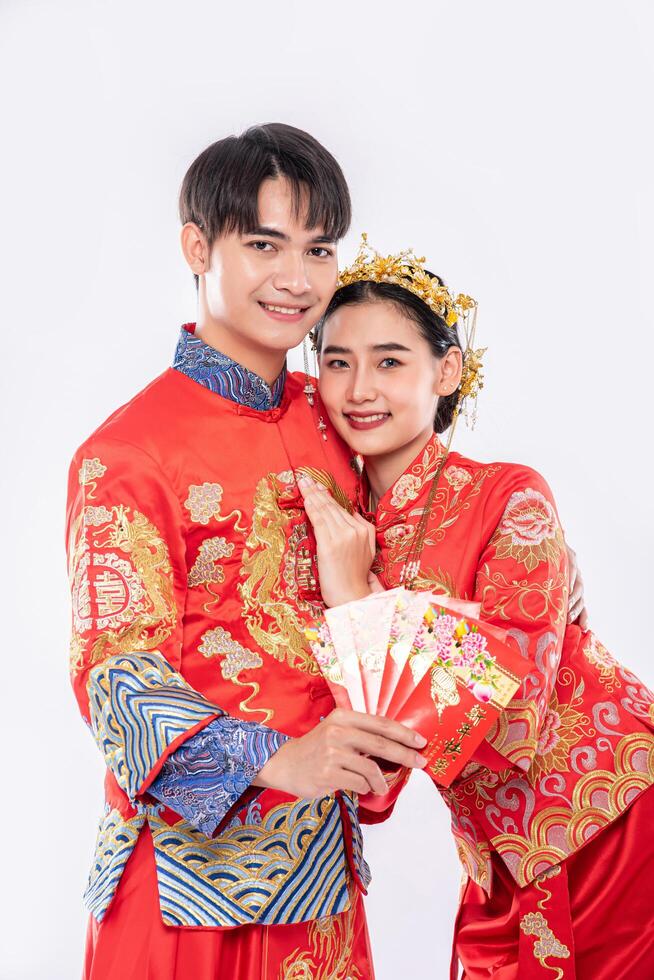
553	815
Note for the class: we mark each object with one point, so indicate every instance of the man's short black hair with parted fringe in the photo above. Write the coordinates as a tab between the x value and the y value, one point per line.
220	190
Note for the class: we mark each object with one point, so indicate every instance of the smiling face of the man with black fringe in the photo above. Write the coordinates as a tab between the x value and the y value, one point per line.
264	290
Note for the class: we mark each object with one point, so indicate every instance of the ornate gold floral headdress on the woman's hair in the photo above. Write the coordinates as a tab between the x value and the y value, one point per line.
407	270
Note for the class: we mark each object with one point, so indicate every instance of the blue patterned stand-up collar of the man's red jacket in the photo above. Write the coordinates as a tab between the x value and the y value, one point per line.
226	377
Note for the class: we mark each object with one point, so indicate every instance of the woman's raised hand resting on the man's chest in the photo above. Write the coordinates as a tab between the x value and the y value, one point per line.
345	545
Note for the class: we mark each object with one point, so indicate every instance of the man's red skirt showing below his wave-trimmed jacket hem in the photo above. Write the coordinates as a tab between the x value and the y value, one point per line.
132	942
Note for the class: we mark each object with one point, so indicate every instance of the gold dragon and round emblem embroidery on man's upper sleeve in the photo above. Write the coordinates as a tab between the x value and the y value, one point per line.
122	584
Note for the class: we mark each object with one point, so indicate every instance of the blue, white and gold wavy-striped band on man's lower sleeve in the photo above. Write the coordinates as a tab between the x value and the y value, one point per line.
139	706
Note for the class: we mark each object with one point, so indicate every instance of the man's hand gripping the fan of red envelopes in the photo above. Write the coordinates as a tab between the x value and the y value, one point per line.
336	755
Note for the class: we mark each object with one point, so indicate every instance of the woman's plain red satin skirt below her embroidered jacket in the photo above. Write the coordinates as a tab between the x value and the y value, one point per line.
589	918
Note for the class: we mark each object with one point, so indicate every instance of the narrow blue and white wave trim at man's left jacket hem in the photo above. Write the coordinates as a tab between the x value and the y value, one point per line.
115	842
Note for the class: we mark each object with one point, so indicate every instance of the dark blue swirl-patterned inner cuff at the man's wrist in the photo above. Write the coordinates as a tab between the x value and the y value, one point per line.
206	775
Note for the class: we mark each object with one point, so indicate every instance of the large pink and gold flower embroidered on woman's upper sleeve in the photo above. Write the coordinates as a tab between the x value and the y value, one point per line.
529	531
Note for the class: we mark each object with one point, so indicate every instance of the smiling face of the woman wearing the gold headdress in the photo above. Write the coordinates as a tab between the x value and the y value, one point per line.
379	379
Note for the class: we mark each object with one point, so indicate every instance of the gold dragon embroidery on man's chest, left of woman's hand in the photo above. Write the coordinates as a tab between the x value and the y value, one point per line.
272	621
